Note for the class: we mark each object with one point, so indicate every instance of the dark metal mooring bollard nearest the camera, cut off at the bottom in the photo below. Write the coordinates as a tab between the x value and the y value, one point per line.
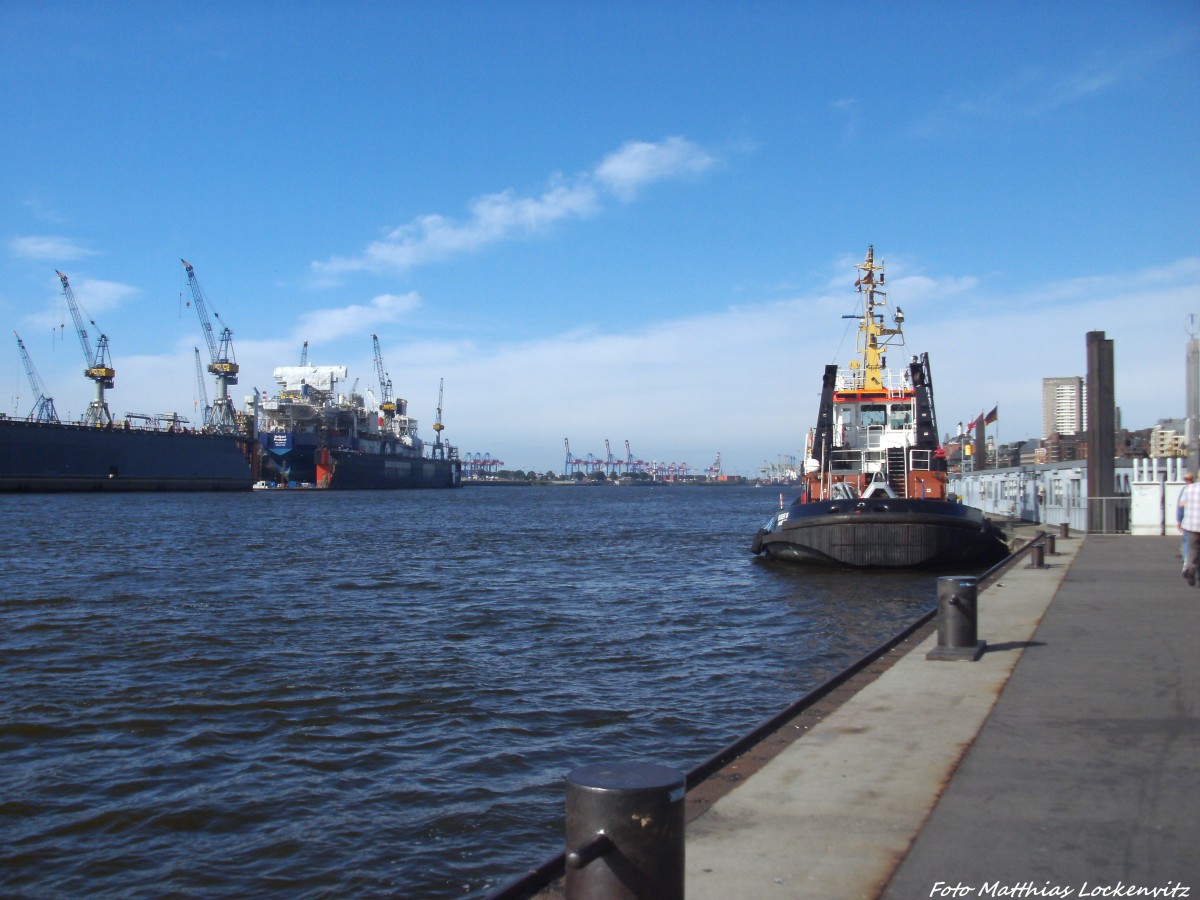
625	832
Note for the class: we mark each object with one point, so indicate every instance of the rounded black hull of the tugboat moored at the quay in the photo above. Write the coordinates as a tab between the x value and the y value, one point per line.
886	533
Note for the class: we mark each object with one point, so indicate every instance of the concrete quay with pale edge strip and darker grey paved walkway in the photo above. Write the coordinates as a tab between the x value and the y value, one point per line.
1065	763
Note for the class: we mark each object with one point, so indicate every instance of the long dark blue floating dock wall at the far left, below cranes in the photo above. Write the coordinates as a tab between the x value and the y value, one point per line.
38	457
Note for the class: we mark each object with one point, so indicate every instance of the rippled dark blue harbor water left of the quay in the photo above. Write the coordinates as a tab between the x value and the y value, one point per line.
323	694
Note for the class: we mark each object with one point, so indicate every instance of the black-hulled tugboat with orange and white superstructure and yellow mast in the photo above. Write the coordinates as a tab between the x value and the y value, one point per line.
874	488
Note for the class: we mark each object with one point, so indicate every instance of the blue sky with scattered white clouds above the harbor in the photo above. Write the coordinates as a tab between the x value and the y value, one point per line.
611	220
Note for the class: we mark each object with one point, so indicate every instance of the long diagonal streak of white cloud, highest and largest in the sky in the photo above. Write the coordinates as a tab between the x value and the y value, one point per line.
507	215
